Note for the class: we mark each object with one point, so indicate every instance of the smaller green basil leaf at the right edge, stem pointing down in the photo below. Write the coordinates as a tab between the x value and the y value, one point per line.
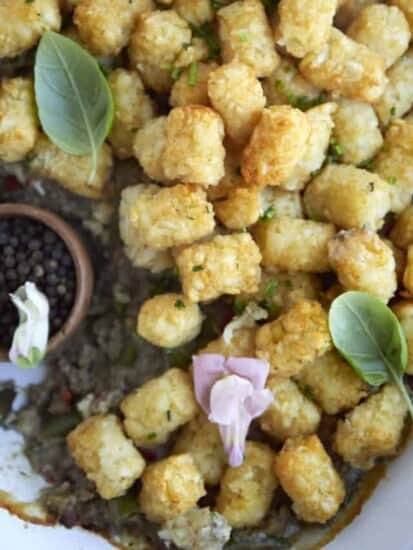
369	336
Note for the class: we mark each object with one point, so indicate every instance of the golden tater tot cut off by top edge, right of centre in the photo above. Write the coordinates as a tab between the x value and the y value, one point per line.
304	27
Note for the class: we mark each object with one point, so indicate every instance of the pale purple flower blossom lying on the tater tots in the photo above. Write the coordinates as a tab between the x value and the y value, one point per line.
232	393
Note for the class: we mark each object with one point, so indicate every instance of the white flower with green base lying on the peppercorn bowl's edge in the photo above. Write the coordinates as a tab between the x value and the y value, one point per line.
31	336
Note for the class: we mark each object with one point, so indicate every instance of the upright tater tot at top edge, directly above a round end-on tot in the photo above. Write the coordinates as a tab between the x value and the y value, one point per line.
246	36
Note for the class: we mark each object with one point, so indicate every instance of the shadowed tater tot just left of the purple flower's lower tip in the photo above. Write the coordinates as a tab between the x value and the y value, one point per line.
202	440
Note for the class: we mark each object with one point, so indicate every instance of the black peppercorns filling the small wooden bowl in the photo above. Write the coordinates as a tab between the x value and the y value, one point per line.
31	251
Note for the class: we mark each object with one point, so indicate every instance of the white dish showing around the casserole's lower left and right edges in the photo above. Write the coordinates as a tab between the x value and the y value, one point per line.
384	524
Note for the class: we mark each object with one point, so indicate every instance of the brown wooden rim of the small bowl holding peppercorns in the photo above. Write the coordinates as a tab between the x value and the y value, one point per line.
81	260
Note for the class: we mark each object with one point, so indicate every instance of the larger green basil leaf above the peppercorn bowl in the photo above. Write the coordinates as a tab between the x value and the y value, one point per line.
73	98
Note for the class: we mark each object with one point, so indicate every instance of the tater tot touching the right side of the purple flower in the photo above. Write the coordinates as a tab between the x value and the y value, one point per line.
291	413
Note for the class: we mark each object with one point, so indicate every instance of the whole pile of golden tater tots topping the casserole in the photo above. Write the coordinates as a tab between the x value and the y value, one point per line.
275	141
